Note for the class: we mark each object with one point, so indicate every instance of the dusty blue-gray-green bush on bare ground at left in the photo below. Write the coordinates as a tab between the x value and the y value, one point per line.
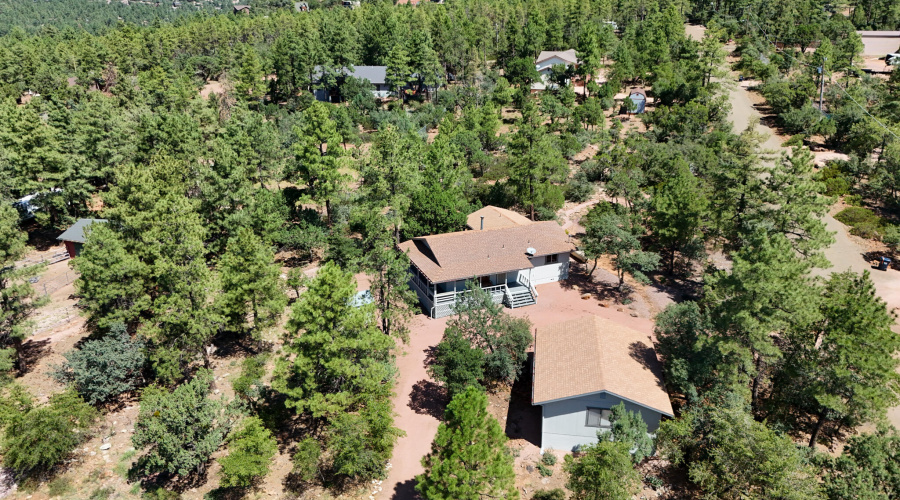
102	369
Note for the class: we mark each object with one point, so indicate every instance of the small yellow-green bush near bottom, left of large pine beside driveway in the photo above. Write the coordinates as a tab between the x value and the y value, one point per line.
250	450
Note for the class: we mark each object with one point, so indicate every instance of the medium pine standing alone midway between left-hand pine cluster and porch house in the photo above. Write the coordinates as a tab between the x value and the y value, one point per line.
251	282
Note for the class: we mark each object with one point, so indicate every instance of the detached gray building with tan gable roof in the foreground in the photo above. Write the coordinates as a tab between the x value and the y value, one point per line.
584	367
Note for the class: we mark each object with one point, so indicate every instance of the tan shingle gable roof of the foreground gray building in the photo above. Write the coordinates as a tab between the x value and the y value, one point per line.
590	354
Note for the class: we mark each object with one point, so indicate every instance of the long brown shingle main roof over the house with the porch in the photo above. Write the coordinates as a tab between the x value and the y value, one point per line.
465	254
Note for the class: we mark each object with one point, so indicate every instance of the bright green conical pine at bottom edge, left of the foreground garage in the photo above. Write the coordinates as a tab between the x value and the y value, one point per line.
468	459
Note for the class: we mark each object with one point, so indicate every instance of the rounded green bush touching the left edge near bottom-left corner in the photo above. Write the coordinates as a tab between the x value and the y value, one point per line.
47	434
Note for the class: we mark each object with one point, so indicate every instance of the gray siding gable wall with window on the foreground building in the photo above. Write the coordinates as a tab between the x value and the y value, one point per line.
563	424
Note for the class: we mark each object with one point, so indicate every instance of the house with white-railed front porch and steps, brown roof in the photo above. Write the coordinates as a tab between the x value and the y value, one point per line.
508	262
